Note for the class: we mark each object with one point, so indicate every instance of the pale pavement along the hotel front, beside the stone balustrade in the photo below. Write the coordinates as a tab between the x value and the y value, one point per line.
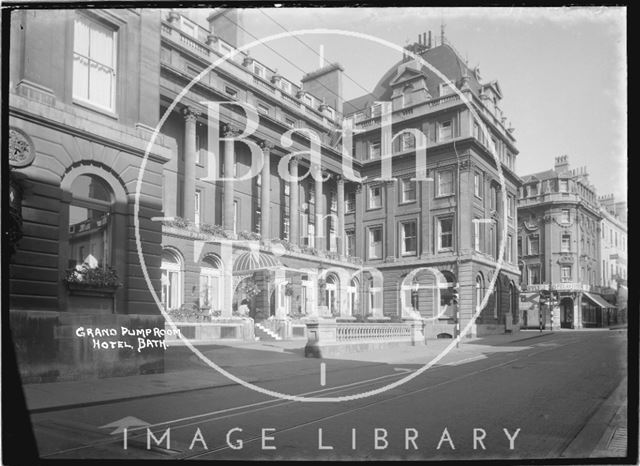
253	362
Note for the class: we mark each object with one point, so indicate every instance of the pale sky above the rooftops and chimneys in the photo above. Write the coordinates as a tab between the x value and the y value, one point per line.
562	70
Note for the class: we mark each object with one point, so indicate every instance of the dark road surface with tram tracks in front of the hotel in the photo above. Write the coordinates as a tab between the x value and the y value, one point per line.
544	389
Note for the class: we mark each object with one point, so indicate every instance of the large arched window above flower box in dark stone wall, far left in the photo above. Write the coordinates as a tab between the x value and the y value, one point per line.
90	225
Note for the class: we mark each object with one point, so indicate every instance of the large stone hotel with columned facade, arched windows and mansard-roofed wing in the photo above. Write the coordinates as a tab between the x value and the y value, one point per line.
87	90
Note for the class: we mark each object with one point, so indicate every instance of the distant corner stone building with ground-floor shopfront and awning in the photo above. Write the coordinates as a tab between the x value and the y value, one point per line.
559	248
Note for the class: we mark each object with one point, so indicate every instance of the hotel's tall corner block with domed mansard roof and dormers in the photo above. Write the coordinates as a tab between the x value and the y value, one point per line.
452	223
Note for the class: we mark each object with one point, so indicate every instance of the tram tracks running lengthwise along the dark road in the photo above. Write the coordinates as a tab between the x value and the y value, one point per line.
135	434
